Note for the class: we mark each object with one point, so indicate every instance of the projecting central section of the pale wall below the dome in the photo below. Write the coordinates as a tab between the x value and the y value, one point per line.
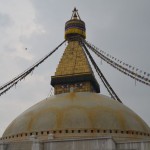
83	144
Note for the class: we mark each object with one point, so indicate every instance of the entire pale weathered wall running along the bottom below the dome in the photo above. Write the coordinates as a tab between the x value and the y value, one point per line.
76	144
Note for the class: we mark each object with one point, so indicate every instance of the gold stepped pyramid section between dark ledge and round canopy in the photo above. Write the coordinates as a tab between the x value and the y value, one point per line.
74	61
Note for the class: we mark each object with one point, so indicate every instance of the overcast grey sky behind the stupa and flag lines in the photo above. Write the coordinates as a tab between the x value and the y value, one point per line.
119	27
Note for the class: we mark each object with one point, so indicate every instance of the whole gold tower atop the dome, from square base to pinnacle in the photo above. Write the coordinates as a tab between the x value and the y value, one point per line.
74	71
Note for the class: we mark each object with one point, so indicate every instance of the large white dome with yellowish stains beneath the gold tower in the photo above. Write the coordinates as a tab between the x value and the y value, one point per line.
73	112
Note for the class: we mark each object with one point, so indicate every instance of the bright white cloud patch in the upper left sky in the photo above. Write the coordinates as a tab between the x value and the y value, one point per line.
24	25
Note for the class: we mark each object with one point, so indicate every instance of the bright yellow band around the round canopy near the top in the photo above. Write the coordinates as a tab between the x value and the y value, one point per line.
75	31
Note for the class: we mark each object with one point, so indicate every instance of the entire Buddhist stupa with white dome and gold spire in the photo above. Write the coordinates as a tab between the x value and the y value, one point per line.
78	116
